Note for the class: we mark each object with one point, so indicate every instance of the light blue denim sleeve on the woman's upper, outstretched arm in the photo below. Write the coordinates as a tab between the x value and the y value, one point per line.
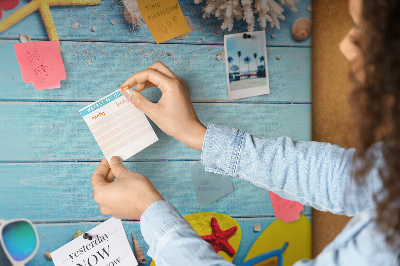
313	173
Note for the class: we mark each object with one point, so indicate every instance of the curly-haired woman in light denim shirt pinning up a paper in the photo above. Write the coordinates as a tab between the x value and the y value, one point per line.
363	183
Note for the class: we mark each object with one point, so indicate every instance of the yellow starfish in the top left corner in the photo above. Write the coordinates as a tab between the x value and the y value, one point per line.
44	8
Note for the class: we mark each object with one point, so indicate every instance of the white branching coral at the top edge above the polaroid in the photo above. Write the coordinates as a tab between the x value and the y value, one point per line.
228	10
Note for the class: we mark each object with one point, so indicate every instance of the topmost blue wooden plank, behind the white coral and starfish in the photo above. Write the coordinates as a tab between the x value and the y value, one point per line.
101	16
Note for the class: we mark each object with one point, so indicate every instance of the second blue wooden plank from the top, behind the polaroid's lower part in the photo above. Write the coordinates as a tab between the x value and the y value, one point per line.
112	63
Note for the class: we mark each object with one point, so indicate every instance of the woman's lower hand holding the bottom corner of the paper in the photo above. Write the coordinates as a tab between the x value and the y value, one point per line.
126	198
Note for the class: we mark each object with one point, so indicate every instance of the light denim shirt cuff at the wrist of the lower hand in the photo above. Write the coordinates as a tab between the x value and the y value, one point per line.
157	220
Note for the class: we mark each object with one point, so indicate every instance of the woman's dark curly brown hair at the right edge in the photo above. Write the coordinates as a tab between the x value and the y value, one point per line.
375	102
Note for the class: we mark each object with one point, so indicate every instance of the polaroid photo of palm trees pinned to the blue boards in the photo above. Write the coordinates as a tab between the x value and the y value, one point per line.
246	64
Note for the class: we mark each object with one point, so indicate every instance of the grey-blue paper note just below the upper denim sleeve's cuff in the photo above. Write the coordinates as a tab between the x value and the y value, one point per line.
209	186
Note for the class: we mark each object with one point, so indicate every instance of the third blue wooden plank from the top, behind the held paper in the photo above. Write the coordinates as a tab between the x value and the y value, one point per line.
56	131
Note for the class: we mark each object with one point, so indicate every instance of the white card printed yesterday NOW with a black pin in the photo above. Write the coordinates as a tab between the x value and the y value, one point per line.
109	246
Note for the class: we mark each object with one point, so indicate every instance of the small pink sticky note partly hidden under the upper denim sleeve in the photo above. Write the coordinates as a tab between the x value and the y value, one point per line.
287	210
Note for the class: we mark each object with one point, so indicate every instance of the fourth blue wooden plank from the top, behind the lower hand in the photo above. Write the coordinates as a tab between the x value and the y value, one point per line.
63	191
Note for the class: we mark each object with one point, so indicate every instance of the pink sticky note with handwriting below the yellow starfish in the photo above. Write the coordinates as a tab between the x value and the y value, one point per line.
41	64
